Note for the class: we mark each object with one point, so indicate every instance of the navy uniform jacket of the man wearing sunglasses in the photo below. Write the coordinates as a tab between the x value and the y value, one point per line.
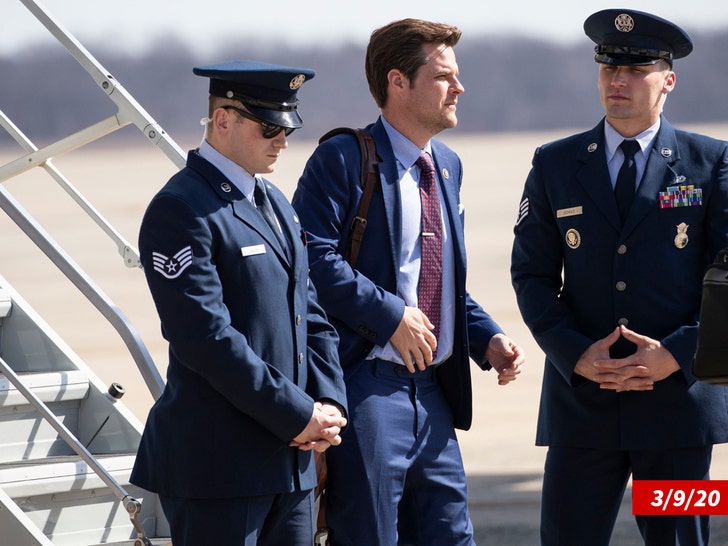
250	349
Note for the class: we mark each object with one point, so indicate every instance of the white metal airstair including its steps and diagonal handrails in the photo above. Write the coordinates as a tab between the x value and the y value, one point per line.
67	443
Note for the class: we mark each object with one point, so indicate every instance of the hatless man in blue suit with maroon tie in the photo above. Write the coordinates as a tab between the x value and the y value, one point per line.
398	477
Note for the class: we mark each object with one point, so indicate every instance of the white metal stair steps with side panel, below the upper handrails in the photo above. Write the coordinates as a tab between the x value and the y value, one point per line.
49	493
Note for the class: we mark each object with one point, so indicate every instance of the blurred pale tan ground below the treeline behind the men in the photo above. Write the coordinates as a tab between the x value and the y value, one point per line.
501	460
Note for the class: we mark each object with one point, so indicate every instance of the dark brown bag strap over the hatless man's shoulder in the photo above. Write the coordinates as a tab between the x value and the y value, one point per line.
369	182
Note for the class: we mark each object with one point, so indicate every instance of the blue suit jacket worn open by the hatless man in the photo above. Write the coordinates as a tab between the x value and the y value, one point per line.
362	303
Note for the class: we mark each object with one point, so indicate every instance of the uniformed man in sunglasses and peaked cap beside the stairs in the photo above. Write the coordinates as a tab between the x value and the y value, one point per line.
253	382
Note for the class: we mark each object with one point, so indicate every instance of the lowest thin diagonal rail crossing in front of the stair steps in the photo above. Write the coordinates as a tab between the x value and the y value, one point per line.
131	505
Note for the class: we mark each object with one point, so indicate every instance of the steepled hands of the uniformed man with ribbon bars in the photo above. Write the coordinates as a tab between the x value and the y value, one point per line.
651	362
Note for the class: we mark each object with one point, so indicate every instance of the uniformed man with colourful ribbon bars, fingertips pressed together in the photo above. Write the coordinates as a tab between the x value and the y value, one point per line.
609	282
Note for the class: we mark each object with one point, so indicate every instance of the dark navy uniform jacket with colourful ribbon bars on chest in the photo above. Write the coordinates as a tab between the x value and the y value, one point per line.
642	275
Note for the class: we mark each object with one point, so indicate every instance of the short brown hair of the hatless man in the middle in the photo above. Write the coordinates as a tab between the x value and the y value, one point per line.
398	45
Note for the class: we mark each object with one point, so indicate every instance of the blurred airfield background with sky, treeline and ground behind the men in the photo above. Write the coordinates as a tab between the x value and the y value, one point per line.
529	79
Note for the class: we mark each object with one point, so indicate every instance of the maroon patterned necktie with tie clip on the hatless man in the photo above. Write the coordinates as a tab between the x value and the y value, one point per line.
429	289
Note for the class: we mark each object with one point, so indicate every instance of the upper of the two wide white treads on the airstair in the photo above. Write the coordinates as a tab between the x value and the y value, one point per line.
48	386
